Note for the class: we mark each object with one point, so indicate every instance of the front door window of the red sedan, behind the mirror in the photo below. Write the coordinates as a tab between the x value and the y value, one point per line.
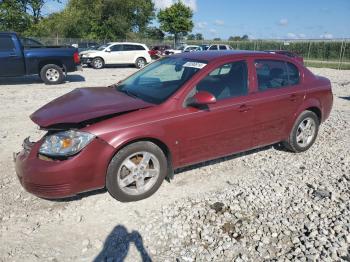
226	81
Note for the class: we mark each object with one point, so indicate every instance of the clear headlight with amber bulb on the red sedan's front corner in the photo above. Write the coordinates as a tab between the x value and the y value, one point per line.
65	143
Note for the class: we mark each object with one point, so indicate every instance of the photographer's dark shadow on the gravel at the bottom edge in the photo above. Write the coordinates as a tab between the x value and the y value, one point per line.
117	244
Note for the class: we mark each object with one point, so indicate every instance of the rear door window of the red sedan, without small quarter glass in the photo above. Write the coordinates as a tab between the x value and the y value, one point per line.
271	74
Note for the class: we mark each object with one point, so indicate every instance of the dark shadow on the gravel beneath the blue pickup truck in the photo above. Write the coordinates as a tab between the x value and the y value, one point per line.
32	79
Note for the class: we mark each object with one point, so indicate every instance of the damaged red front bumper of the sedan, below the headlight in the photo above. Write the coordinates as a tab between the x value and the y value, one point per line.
53	178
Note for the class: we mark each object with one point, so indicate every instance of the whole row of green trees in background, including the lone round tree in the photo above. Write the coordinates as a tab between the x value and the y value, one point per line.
98	19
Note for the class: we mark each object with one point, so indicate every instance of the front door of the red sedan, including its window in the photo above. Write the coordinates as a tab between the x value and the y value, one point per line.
224	127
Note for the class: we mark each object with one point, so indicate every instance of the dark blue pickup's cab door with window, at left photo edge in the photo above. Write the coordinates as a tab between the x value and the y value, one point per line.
11	57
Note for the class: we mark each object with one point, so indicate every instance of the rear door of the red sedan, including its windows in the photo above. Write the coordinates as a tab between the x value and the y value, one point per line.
278	95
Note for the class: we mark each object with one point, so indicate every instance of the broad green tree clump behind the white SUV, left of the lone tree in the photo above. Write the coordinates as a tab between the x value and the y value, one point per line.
99	19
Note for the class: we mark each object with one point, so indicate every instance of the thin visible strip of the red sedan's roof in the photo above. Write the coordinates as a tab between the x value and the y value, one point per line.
217	55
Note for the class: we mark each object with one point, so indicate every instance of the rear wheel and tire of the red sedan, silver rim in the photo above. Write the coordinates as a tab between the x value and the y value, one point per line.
304	132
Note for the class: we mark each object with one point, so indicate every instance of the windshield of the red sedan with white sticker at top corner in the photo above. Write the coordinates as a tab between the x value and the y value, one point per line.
158	81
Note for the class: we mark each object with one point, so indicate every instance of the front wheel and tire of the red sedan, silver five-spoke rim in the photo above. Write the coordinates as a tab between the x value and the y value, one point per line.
136	172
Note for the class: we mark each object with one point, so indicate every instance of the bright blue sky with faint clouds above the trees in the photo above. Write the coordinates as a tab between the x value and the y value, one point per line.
262	19
